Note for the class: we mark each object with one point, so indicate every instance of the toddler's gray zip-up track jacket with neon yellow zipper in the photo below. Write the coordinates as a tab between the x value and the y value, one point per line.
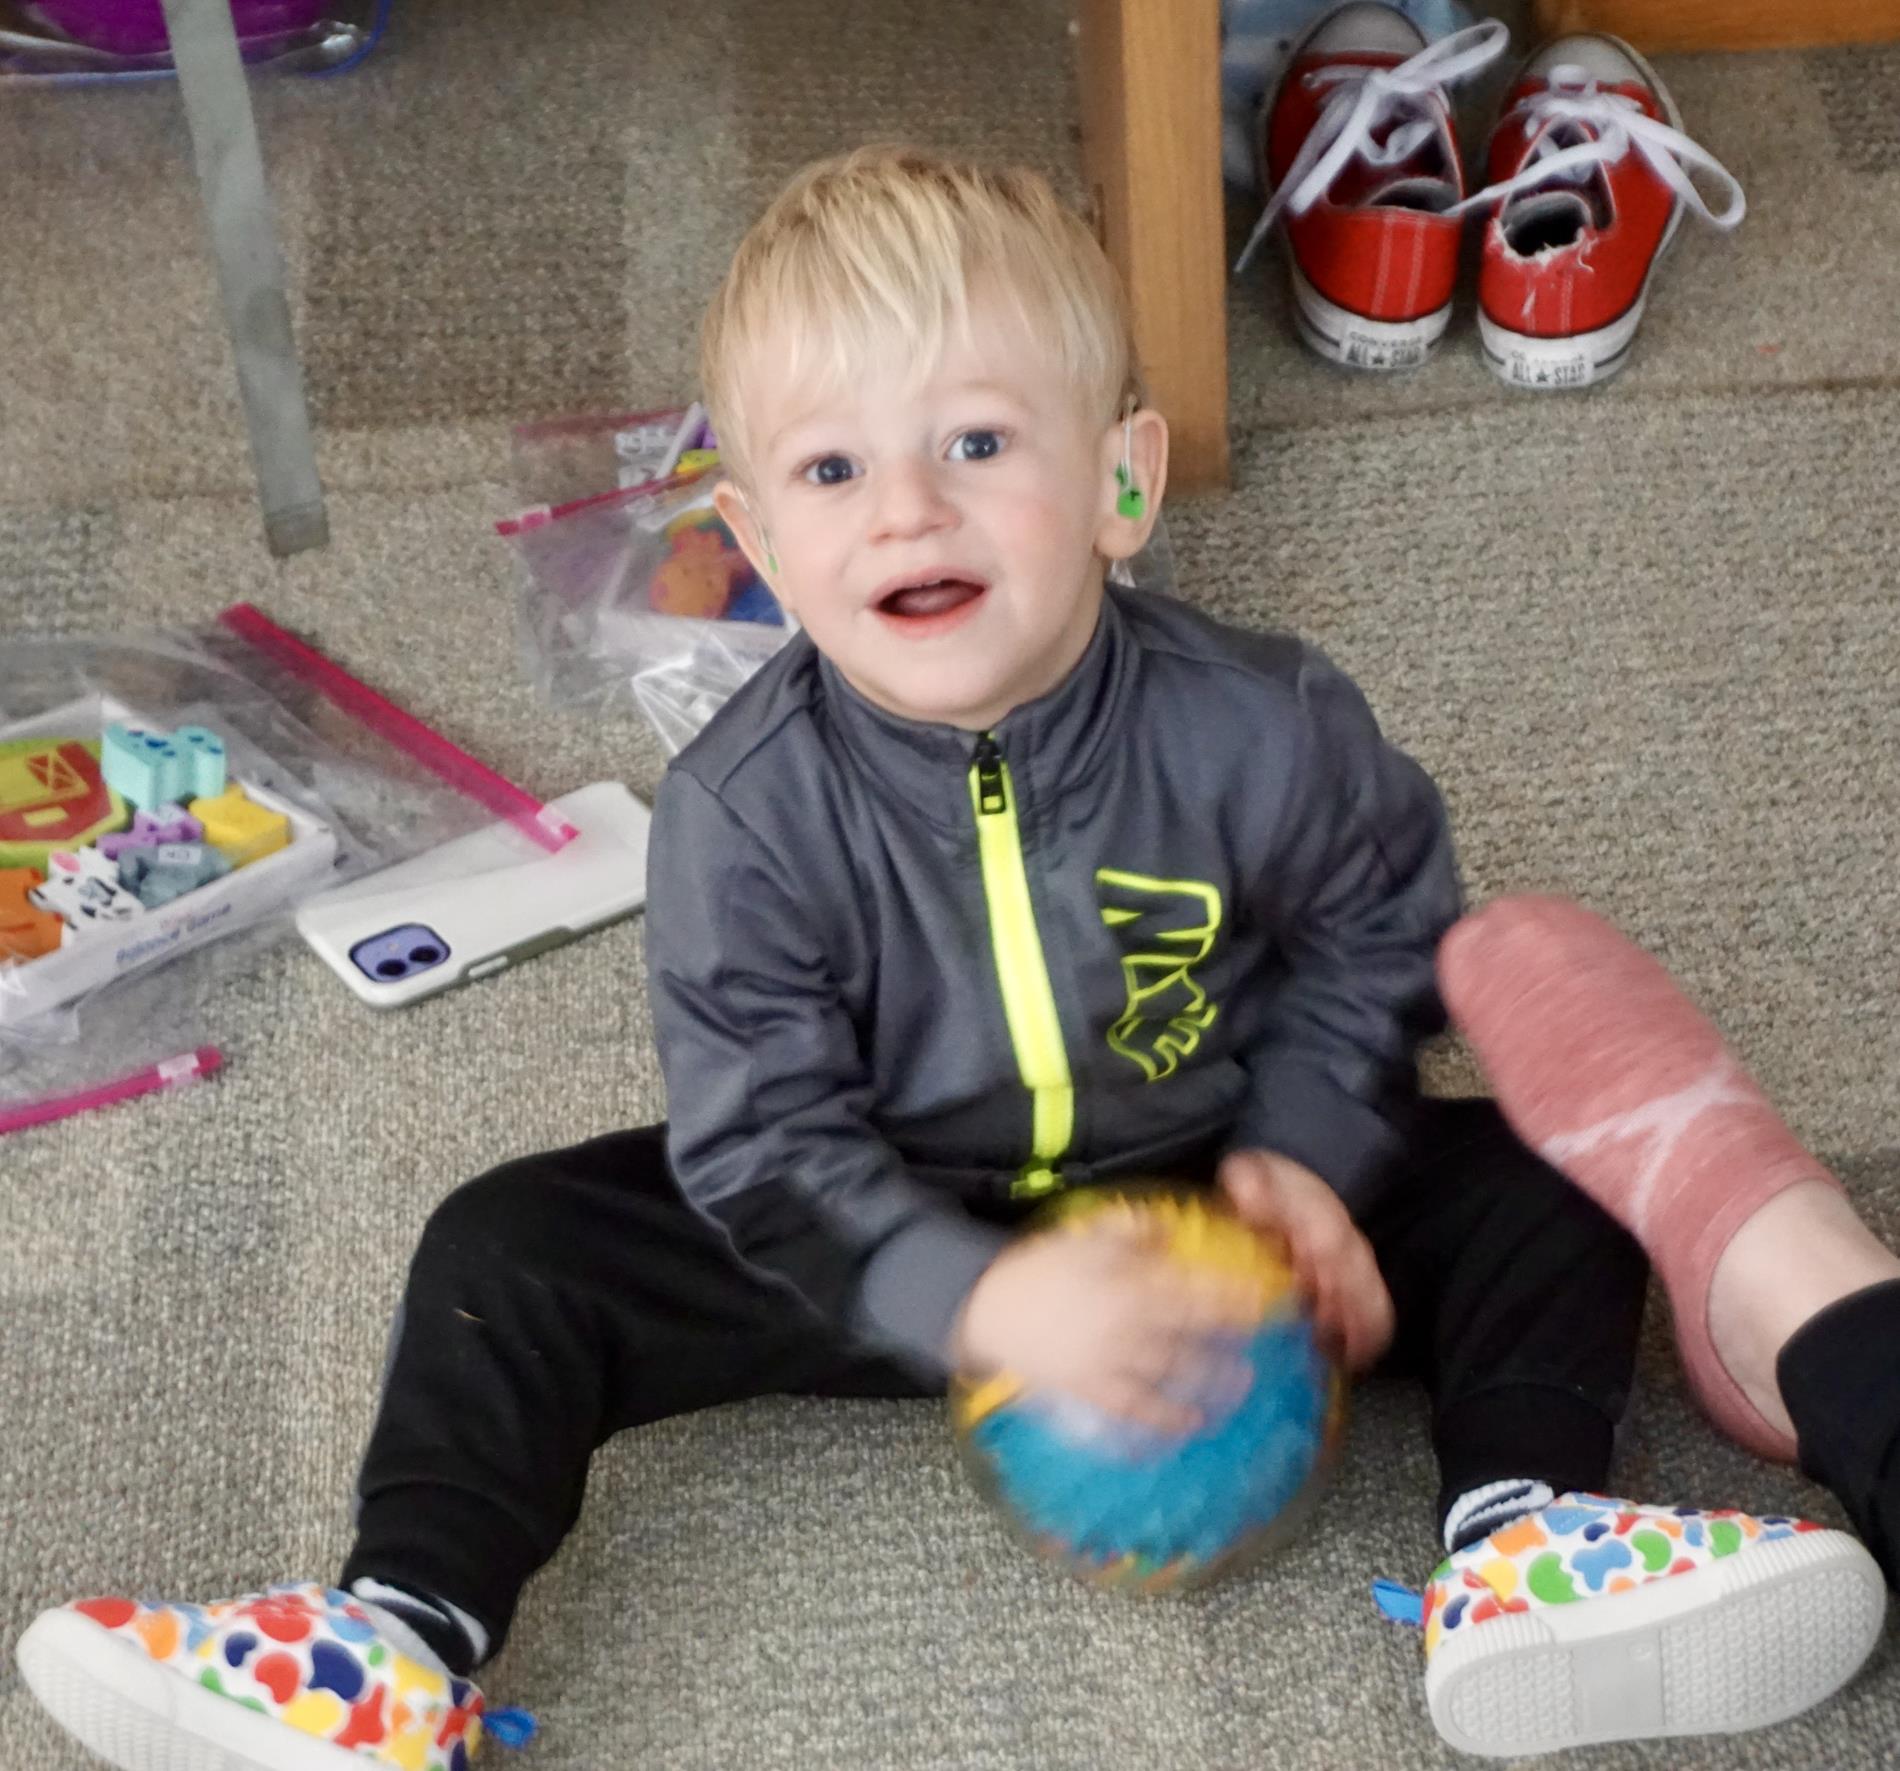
1183	904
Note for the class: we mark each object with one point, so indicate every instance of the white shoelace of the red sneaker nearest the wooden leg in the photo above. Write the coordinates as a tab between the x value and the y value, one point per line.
1365	100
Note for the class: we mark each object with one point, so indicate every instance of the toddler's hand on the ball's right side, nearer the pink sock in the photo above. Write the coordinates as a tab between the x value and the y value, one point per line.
1339	1272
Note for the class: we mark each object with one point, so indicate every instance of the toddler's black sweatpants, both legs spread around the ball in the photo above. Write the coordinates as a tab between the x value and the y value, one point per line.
569	1297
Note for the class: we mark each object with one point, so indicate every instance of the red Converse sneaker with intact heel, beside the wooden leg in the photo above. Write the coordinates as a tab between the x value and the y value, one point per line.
1359	157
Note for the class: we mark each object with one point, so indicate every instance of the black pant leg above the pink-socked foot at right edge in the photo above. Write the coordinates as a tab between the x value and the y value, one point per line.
1840	1381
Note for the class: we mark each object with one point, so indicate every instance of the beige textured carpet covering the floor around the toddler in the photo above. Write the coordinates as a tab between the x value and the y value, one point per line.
1646	639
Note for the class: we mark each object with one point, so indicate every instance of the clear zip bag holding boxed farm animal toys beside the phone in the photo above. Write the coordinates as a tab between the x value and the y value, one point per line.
168	801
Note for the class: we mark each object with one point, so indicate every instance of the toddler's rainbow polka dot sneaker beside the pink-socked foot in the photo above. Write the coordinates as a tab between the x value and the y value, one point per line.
1597	1620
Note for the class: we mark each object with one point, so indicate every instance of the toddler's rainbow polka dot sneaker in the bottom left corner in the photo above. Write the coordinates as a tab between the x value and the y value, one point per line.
297	1679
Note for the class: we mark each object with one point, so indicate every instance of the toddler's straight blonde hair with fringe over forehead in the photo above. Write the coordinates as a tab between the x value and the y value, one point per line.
881	248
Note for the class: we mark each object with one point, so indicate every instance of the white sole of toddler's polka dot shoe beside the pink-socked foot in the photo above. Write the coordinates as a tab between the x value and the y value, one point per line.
1739	1645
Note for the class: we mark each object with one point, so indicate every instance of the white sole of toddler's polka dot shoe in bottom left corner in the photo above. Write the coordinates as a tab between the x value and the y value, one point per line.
113	1698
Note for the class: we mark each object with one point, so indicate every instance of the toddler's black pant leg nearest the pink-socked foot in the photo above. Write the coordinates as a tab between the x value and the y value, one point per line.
1519	1303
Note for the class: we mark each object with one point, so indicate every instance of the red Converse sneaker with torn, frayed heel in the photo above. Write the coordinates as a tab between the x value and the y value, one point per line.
1589	183
